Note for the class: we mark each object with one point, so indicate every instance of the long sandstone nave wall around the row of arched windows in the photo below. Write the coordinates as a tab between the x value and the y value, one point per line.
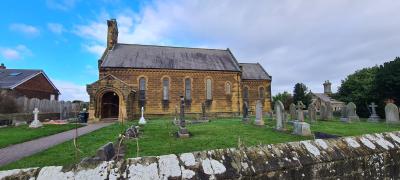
221	102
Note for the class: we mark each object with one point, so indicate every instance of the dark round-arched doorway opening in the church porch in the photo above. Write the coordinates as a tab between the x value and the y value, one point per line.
110	106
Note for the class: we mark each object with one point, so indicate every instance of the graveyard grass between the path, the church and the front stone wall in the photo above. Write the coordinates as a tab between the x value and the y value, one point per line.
158	138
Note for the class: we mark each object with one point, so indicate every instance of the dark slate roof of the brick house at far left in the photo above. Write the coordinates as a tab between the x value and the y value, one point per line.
10	81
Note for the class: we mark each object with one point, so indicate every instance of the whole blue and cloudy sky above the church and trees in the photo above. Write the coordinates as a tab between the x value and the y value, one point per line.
307	41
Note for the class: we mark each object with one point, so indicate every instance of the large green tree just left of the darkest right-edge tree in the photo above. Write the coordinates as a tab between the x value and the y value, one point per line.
359	88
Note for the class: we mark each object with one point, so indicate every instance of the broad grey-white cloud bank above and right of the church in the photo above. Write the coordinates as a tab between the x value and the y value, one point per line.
295	40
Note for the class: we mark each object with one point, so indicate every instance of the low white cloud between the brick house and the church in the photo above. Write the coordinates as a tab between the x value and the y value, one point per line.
71	91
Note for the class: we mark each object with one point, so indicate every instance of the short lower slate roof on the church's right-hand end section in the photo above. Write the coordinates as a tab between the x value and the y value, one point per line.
254	71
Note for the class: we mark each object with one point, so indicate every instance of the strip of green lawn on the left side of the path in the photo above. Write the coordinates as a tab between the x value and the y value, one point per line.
19	134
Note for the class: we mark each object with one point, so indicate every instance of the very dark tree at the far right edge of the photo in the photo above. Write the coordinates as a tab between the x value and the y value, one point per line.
387	84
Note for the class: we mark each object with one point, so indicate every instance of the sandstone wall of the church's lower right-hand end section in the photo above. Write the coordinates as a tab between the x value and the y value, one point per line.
254	86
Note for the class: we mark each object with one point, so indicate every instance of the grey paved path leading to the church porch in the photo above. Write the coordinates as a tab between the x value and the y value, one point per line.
18	151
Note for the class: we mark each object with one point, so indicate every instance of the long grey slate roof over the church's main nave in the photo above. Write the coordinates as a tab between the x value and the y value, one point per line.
167	57
